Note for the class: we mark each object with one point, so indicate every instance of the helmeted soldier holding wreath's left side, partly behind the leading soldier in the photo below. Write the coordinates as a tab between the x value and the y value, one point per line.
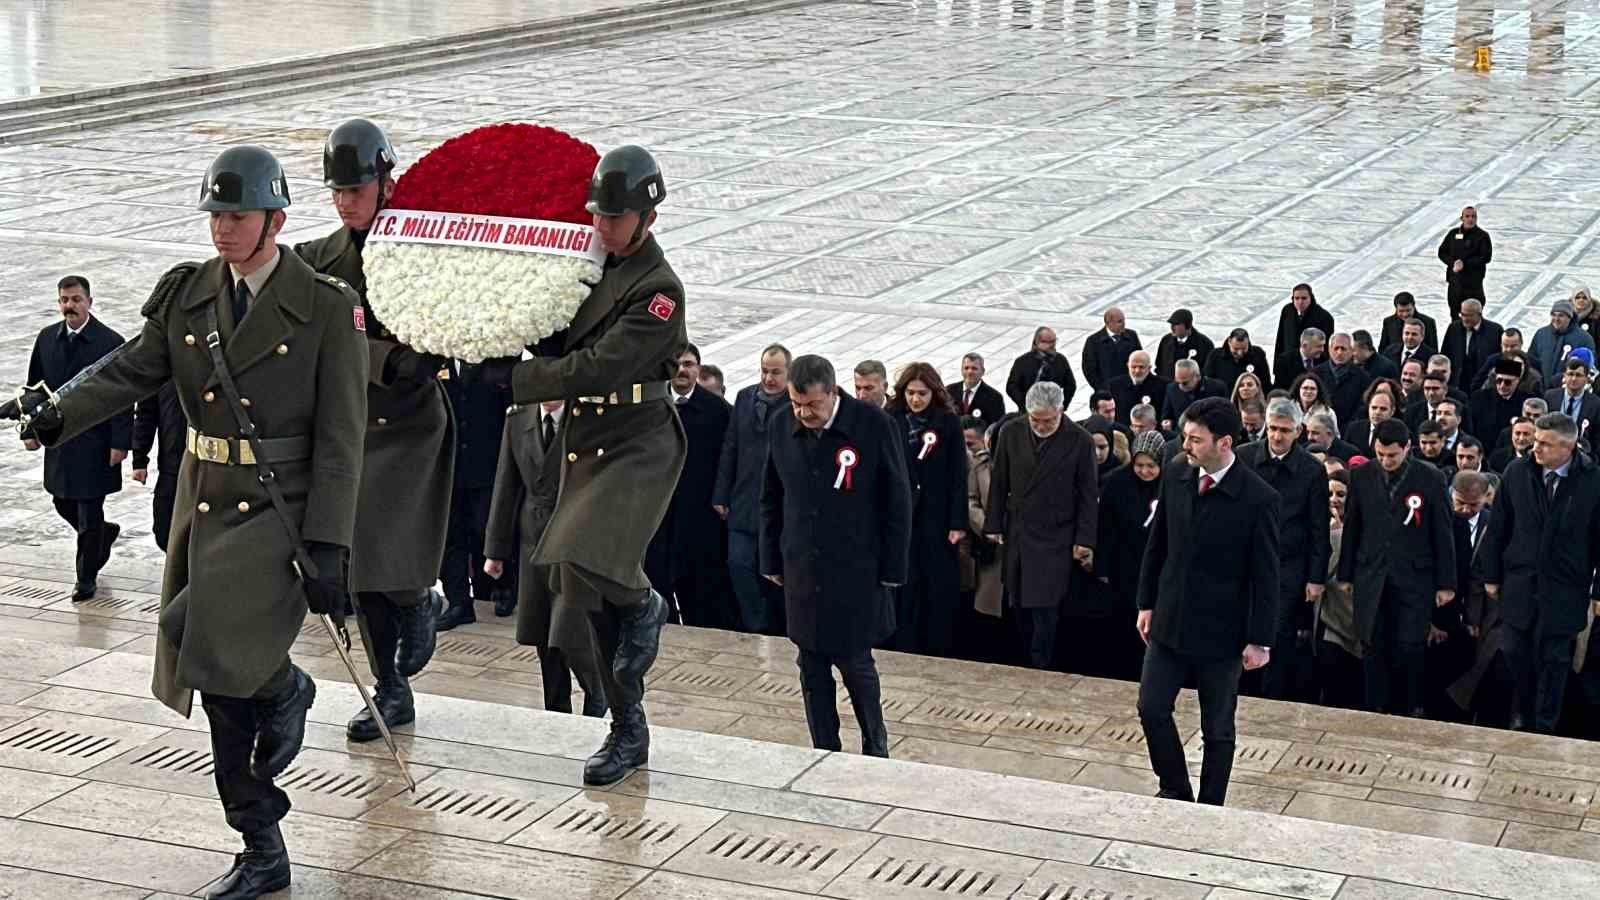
409	457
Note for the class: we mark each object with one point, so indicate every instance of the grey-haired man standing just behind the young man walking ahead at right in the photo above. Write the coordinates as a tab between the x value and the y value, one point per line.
1305	548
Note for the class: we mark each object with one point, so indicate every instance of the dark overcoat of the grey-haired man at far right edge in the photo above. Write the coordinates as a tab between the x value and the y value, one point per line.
1545	553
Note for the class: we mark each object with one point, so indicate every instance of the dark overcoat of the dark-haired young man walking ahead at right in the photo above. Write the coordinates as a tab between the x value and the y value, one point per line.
1210	568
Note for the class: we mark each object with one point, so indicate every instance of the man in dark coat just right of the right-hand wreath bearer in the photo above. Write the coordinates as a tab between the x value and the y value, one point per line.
687	561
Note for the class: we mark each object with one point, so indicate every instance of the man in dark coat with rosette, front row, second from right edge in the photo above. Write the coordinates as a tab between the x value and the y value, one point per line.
1399	555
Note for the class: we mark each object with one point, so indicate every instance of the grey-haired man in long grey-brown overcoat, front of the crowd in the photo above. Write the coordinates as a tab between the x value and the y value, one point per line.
1044	497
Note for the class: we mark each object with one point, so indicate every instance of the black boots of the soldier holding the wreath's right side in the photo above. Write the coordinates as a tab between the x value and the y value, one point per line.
639	641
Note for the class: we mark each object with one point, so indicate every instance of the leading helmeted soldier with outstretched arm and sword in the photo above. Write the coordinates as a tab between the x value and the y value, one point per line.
270	364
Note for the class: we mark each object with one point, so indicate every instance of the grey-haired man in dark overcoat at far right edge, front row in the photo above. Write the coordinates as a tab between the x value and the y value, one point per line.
1542	561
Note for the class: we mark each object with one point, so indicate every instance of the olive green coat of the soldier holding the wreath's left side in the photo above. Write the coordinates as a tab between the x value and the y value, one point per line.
404	508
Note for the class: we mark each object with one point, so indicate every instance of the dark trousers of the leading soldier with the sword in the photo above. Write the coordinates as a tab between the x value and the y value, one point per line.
249	803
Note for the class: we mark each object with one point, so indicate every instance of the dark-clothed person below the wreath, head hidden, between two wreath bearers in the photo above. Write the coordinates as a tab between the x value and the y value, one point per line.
479	412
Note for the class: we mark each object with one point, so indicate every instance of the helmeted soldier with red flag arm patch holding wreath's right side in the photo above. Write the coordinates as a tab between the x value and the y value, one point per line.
623	448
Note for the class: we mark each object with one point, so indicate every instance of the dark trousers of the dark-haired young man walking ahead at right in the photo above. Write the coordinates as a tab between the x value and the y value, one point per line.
1166	672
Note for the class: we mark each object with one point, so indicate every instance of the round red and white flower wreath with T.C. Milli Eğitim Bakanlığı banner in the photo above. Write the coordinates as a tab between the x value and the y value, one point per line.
486	246
